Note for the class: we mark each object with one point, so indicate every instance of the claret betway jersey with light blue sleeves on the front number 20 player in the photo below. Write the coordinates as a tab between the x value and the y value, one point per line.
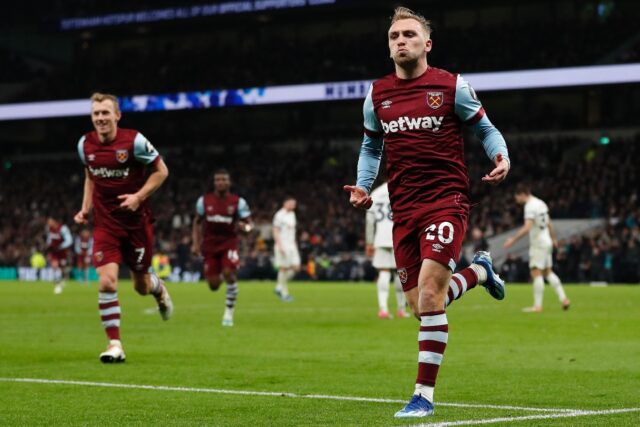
421	123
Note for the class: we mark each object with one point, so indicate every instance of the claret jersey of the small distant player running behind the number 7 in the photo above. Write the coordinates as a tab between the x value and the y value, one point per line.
221	215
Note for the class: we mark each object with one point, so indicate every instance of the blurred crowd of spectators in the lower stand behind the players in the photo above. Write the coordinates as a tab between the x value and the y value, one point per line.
577	179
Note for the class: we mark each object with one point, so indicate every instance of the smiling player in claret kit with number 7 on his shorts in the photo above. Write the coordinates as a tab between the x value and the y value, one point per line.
116	188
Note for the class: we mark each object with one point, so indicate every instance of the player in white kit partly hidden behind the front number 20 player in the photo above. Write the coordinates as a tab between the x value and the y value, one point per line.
379	238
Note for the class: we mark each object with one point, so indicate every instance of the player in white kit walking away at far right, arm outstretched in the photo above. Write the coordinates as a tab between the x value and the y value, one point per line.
541	243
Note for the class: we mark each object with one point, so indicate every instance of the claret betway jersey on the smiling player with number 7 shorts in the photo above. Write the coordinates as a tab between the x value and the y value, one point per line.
117	167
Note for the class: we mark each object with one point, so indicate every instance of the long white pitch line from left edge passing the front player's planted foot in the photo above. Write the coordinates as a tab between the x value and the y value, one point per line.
268	393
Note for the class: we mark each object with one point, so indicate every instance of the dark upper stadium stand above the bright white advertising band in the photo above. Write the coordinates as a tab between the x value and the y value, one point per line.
508	36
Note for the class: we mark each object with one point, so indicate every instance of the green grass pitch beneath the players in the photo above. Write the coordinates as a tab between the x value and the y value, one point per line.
501	367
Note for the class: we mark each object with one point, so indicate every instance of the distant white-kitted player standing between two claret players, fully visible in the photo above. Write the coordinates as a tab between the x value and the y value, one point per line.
287	258
